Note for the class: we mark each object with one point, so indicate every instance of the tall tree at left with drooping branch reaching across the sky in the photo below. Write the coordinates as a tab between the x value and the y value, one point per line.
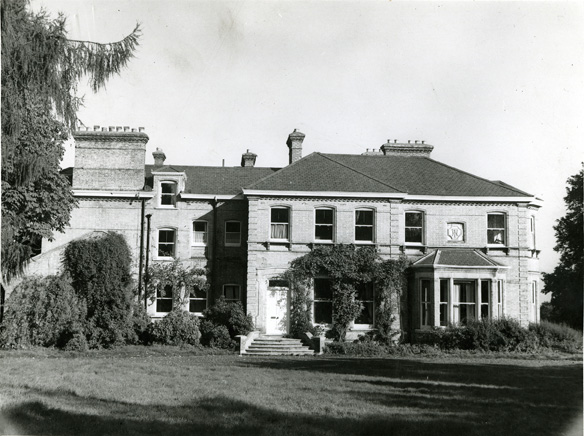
41	69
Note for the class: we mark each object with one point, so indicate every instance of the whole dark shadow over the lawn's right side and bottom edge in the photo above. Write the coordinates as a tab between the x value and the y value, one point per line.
423	398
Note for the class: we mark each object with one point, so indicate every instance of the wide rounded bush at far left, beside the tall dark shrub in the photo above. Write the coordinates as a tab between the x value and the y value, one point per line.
42	311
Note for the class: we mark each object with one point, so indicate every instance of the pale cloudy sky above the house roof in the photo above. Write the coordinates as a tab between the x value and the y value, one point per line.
497	88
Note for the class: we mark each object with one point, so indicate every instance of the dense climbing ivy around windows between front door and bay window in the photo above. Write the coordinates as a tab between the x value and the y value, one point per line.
347	267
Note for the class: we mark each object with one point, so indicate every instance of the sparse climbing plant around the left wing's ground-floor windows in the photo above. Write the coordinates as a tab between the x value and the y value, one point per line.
174	276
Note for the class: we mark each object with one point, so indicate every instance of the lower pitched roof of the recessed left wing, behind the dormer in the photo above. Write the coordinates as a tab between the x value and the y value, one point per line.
214	180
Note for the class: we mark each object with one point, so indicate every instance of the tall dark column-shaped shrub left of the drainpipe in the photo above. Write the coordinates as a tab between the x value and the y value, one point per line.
99	268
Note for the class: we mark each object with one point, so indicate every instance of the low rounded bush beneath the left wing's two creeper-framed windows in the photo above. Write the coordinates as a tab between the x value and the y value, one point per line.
177	328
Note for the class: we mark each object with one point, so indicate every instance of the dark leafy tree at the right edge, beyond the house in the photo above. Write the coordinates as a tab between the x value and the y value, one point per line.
566	282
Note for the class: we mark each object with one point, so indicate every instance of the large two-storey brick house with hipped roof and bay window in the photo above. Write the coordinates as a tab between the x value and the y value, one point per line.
472	241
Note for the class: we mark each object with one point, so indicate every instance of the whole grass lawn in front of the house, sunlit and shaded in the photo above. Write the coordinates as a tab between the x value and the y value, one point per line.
166	390
